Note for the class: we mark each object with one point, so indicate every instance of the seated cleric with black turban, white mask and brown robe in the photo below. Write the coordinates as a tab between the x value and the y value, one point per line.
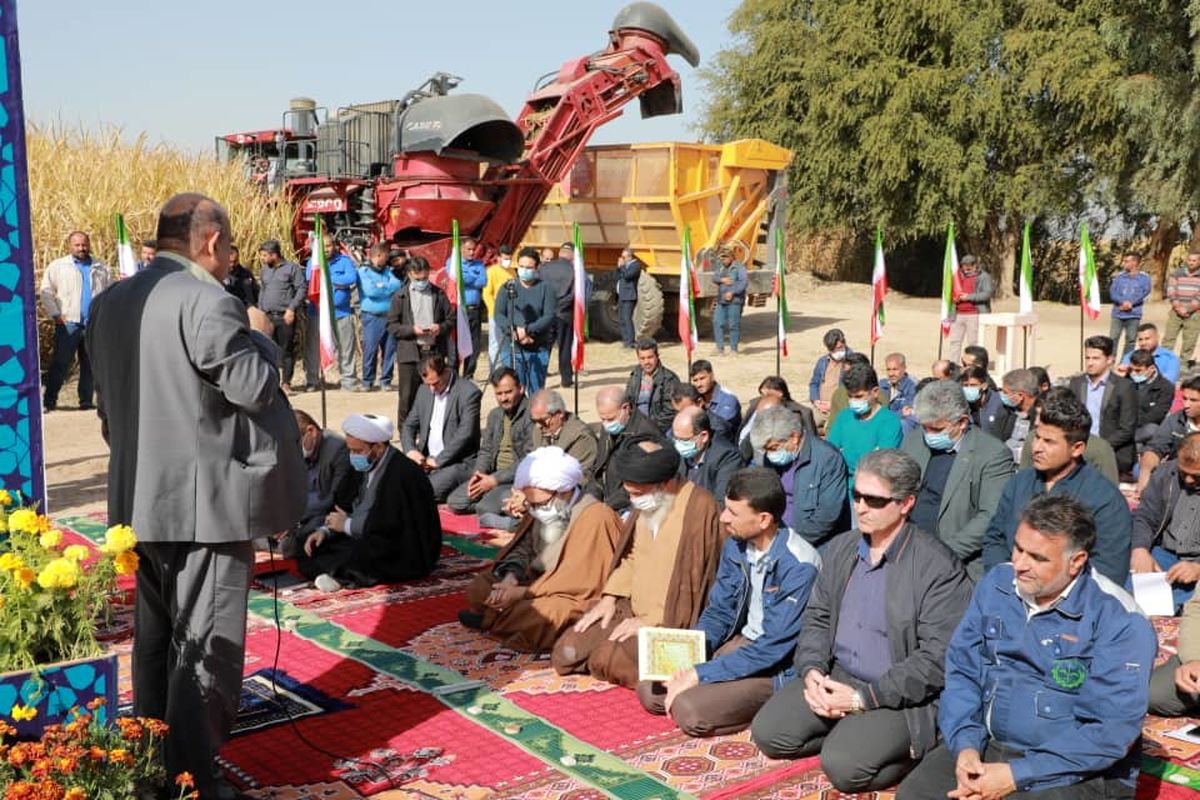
674	522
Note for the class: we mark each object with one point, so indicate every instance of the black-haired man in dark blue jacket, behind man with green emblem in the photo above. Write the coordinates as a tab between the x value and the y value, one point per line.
1059	468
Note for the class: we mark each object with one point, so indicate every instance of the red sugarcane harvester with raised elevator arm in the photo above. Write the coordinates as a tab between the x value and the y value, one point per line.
401	171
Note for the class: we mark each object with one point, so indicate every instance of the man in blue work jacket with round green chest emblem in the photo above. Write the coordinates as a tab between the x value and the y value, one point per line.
1047	677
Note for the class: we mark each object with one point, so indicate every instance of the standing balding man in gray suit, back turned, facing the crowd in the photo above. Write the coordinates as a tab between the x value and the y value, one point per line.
205	458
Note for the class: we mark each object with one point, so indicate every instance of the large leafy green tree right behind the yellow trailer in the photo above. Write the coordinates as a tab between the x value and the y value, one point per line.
914	113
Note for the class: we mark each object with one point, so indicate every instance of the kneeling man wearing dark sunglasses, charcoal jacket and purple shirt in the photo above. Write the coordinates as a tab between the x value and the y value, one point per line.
869	660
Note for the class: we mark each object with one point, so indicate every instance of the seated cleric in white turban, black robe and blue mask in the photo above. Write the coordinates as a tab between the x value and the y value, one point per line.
385	525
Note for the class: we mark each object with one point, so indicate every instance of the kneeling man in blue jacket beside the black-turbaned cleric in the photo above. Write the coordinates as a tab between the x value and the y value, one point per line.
753	617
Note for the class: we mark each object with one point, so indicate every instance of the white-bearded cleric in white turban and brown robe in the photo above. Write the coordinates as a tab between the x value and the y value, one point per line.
556	564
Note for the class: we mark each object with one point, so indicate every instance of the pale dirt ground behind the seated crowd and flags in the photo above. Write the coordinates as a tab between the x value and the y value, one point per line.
77	459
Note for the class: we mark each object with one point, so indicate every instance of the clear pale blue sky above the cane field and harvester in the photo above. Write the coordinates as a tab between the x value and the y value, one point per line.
184	73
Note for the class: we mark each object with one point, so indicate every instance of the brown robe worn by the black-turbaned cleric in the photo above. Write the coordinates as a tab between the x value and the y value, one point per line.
692	578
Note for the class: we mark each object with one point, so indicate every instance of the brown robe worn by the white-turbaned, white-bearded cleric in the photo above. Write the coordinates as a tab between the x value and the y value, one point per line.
559	598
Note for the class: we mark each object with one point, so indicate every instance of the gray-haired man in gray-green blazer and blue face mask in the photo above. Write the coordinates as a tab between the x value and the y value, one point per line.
963	472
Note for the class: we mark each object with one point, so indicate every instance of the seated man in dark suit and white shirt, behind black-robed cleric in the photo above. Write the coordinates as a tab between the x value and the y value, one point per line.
441	432
